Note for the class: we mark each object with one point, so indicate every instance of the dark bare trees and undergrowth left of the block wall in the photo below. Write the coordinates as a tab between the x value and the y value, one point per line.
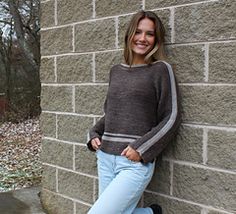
20	52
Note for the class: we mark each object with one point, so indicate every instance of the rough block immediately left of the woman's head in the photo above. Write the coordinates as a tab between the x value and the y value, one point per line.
95	36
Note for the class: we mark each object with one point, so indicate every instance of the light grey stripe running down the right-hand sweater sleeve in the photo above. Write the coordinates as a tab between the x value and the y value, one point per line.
145	146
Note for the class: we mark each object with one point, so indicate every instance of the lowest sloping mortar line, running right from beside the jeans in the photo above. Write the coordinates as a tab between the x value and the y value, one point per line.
188	202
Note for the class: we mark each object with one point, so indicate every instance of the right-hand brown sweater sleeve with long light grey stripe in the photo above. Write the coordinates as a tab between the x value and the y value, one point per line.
153	142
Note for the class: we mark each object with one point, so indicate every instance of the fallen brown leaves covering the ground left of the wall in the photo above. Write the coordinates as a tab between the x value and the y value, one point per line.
20	147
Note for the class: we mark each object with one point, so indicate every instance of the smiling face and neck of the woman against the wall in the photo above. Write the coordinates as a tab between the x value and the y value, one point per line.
143	40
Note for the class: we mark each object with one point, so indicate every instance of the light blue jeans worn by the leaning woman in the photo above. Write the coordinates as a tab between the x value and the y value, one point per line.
121	184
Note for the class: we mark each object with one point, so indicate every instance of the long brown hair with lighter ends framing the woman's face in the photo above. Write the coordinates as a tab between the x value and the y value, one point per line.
158	52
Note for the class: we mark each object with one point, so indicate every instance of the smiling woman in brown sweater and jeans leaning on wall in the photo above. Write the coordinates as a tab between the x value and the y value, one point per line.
141	117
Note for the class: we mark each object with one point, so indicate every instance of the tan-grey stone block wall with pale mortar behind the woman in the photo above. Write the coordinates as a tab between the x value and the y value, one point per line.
80	40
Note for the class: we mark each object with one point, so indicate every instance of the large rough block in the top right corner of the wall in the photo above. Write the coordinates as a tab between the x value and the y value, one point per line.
205	22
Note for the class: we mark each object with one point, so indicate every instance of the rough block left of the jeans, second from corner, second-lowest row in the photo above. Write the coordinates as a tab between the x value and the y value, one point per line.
75	186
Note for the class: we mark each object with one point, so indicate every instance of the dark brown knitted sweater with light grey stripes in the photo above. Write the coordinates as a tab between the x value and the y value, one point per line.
141	110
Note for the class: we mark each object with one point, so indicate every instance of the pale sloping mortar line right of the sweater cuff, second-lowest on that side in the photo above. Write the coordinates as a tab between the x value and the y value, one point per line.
190	164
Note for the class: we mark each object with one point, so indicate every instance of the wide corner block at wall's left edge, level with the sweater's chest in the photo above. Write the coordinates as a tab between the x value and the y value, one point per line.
56	98
